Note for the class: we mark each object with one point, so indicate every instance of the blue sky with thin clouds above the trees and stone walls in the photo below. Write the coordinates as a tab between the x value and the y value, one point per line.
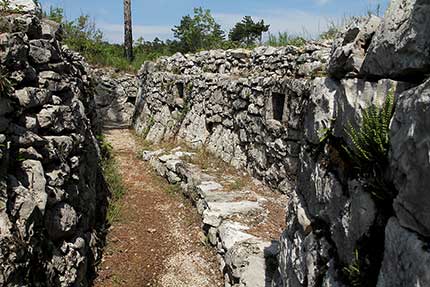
155	18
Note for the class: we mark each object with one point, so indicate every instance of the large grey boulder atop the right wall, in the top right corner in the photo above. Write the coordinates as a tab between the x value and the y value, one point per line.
401	45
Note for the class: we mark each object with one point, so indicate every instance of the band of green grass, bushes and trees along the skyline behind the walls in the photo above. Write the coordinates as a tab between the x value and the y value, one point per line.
194	33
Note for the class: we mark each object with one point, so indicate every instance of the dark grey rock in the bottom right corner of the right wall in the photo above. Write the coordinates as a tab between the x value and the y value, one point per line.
406	258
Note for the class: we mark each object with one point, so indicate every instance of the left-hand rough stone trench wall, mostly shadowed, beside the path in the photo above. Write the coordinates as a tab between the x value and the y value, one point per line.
53	196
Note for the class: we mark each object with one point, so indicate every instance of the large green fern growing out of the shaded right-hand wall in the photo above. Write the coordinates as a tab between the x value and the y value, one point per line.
369	146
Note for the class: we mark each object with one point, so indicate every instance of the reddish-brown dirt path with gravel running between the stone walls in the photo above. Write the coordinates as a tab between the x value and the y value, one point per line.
157	240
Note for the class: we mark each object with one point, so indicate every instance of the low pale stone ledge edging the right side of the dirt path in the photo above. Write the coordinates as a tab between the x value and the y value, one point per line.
246	259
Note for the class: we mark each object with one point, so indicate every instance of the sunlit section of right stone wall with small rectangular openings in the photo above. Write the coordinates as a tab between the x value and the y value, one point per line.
249	115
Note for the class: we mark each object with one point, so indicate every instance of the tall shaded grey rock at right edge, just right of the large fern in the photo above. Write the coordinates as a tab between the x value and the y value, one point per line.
409	158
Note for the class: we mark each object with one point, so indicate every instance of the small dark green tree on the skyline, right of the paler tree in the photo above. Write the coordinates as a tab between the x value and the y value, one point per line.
247	32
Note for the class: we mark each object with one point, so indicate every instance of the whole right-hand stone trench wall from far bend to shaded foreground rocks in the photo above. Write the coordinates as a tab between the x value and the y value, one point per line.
267	111
